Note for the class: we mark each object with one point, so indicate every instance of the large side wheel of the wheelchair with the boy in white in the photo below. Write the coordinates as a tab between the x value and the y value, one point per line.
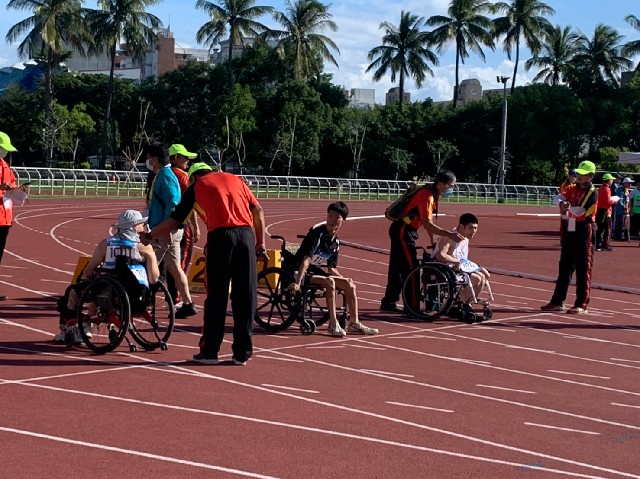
429	291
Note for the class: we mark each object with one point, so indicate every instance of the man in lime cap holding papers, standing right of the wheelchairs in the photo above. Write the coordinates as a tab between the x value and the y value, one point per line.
576	255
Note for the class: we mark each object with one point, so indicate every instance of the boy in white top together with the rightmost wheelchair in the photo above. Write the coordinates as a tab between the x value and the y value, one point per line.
447	282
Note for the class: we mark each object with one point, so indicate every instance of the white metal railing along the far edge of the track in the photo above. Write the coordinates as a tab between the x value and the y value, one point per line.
68	182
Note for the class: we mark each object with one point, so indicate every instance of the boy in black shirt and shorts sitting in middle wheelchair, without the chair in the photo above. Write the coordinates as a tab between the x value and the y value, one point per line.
319	249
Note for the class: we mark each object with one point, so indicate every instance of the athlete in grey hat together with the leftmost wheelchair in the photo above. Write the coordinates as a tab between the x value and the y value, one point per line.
118	292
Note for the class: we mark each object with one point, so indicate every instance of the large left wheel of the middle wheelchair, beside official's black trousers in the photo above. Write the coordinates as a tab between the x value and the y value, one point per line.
277	308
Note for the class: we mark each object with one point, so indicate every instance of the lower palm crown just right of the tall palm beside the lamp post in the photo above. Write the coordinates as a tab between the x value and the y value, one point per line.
557	49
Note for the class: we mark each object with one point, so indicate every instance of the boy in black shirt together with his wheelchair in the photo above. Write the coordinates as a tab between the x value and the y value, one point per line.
303	281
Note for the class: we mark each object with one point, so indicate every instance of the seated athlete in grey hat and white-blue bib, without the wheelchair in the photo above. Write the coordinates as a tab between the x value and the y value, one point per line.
138	272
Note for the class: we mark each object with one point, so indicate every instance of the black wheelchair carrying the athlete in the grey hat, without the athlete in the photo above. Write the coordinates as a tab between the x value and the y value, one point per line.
116	302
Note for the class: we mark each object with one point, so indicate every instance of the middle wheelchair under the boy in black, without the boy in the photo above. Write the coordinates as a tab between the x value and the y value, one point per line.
278	308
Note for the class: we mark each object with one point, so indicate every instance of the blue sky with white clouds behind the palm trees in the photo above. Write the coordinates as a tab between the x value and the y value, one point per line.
358	22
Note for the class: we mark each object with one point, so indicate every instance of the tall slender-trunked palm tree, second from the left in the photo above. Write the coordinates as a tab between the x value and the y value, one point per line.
116	21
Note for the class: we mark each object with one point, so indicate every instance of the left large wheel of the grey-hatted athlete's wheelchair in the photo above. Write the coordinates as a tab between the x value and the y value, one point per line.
103	314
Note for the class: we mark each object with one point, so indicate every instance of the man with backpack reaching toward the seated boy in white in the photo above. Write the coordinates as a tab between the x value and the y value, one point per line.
403	258
